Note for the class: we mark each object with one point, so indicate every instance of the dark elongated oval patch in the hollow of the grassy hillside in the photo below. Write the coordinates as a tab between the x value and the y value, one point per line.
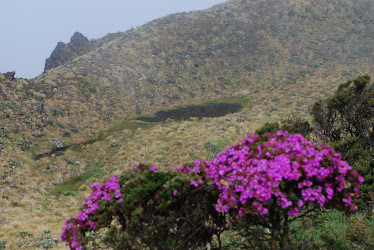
212	110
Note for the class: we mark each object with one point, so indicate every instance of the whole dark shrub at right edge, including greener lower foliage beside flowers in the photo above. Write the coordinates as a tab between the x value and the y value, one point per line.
346	120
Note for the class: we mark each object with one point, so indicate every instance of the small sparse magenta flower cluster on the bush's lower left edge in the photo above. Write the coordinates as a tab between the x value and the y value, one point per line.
108	191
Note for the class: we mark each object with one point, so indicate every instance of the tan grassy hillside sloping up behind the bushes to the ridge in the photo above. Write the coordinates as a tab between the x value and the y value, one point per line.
273	57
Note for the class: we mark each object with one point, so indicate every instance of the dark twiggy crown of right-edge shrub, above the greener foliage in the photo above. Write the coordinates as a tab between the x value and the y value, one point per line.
348	113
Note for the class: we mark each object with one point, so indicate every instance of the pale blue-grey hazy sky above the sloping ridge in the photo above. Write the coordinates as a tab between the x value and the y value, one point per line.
31	29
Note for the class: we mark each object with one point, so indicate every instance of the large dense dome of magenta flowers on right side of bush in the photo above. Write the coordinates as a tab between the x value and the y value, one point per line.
285	169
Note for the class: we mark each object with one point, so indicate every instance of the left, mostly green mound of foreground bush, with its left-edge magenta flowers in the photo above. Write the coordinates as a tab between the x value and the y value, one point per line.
161	210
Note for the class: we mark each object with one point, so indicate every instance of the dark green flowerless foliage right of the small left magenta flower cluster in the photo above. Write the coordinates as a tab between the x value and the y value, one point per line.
151	216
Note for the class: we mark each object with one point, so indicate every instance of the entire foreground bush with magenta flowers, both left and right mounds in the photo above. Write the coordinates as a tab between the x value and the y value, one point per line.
270	178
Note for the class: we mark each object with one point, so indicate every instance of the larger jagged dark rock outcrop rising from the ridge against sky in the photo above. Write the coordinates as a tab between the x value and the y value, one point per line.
64	53
